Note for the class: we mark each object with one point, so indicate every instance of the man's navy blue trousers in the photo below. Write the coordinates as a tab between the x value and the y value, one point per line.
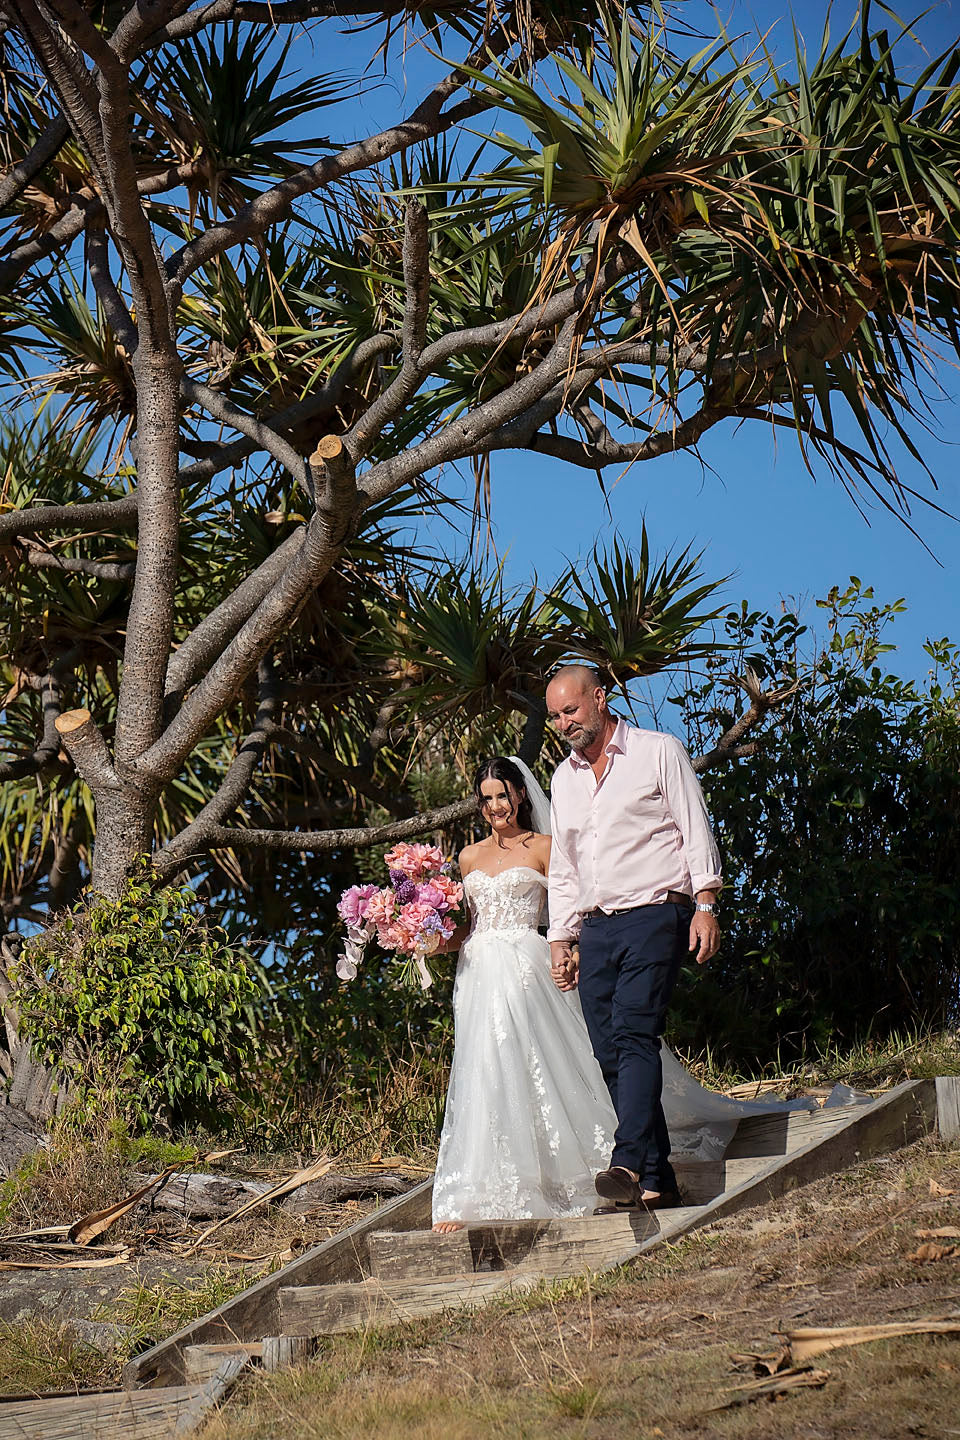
628	970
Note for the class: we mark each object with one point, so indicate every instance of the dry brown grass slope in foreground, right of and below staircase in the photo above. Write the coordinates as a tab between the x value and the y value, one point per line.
648	1350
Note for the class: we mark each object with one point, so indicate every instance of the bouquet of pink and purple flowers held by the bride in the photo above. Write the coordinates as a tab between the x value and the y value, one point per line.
412	917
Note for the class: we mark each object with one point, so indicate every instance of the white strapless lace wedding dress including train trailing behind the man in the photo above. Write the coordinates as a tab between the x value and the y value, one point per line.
529	1120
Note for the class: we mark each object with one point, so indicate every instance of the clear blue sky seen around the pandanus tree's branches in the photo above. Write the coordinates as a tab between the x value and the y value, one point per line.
752	506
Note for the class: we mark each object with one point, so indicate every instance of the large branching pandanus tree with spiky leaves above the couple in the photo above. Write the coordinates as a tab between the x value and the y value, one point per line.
241	355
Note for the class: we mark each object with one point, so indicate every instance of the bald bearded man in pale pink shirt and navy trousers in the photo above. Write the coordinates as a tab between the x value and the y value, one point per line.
634	879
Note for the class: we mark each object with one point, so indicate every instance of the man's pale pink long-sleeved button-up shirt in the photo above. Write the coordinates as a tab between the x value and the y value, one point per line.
631	837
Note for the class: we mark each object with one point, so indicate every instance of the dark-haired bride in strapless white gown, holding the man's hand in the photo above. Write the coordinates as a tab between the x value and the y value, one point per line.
529	1120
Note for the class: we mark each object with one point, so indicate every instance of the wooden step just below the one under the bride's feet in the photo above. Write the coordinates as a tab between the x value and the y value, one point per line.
332	1310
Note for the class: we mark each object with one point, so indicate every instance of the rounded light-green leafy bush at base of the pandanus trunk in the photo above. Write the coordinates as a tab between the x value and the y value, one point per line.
139	1003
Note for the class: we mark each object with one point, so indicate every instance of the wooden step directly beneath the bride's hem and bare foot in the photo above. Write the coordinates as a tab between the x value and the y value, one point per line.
551	1246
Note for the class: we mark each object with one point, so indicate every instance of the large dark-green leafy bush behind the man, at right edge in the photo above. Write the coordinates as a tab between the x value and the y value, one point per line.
841	834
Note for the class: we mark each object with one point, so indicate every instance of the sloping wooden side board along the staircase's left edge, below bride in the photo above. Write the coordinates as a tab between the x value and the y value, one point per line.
255	1313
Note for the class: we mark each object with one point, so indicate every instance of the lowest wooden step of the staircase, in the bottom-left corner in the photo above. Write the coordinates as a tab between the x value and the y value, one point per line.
153	1415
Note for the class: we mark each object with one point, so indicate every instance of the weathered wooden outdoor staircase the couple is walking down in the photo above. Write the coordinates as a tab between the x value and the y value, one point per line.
391	1268
